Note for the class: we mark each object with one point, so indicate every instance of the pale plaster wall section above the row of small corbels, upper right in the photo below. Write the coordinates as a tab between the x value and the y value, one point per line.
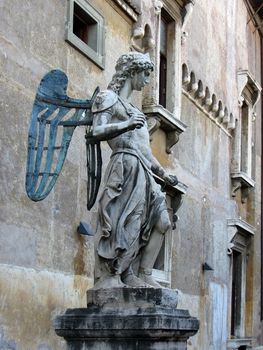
219	44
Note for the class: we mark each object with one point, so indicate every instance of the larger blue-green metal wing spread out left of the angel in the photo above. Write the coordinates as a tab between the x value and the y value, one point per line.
53	121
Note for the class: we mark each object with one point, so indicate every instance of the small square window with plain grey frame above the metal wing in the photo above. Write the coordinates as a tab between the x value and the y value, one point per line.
85	30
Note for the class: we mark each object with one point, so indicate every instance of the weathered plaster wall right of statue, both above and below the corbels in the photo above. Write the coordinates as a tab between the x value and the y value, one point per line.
219	44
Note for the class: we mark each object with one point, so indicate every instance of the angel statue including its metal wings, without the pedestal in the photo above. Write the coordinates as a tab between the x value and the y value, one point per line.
132	212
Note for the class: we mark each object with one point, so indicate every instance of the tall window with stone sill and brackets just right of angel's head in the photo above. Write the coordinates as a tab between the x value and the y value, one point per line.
162	97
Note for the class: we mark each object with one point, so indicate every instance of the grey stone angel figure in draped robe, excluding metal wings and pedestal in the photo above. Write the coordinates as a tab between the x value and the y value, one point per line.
132	216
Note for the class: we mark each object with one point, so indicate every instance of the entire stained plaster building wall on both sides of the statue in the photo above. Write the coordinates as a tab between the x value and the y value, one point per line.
45	266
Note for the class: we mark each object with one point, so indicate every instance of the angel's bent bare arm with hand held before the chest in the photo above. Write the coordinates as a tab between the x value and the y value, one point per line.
105	129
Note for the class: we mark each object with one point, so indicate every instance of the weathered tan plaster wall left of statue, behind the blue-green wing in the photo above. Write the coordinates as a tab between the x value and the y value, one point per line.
45	267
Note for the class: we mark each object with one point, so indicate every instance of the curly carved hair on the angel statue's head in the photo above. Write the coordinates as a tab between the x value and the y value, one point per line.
126	64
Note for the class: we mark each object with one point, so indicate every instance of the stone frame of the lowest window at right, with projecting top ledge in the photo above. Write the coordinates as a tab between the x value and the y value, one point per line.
240	234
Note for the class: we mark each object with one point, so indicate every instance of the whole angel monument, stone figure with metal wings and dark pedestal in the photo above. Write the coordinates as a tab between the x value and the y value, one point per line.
132	213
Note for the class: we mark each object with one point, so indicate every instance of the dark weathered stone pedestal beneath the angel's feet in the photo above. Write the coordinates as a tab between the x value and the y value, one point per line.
127	318
